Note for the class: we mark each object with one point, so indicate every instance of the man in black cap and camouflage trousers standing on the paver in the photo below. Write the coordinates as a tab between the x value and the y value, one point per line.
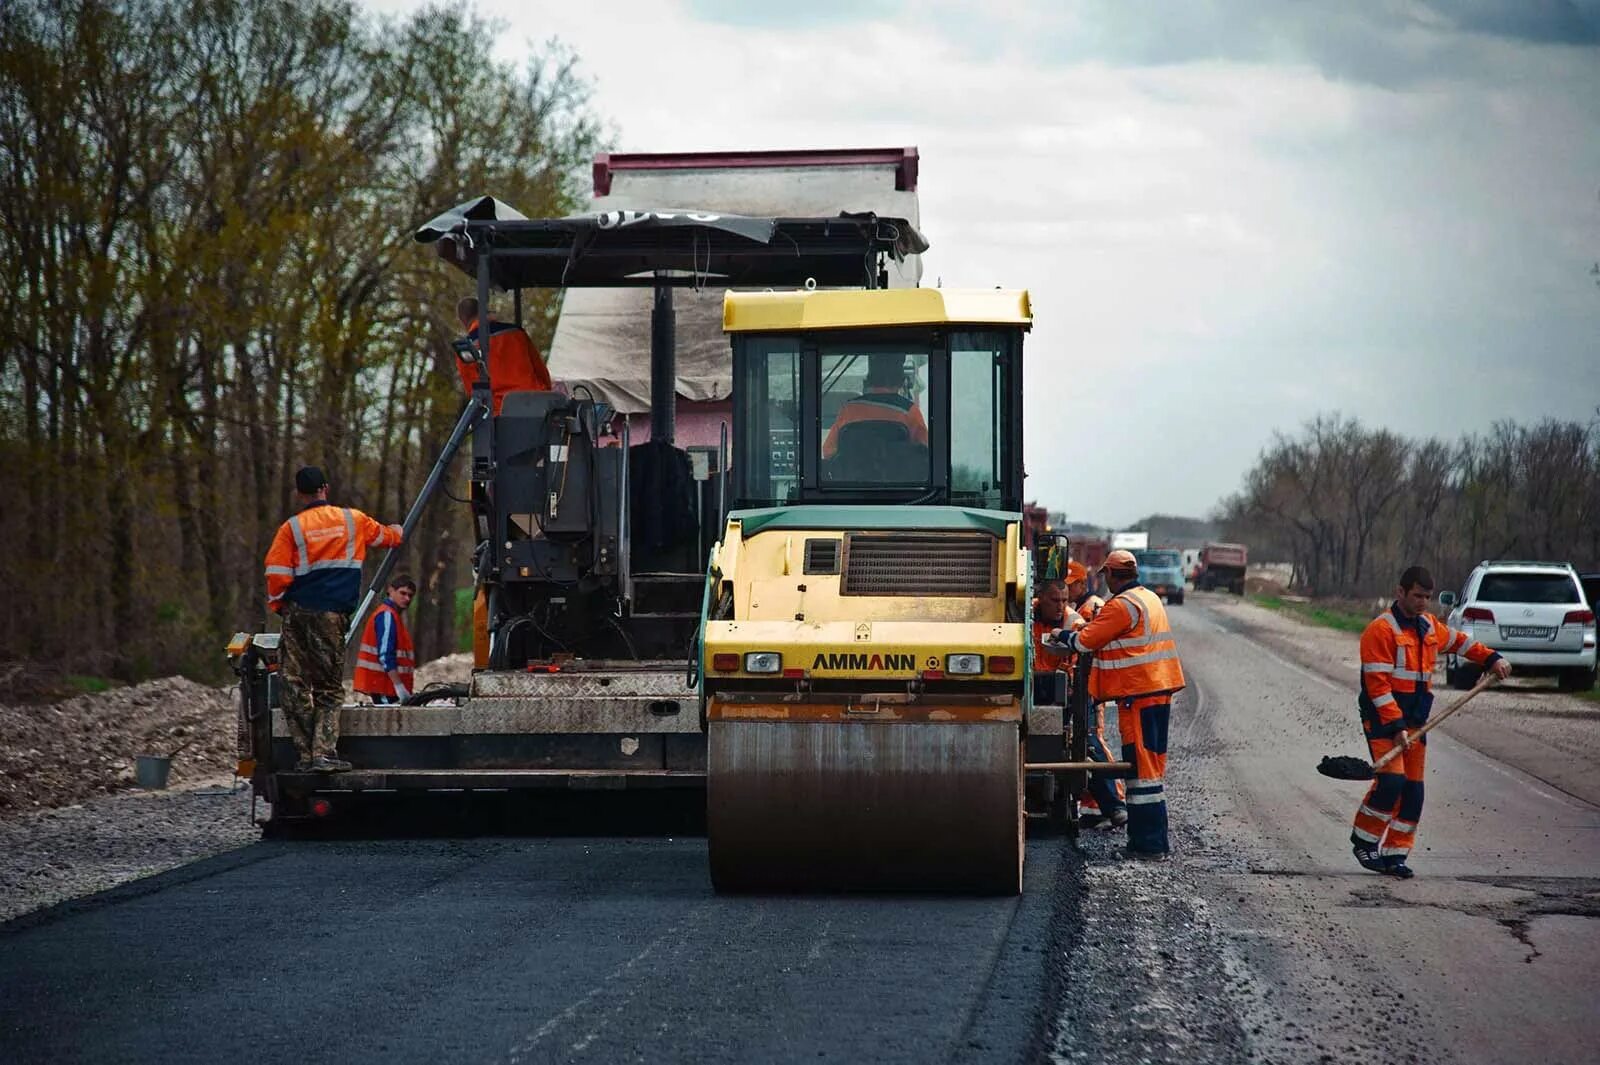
314	580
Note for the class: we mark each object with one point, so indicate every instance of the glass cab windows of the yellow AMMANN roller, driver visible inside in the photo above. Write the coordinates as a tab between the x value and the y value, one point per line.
905	415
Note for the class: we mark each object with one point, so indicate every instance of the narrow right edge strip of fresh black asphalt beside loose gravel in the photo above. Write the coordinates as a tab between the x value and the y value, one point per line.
1014	1018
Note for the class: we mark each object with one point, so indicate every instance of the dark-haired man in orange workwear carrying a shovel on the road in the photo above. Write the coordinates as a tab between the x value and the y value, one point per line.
1399	650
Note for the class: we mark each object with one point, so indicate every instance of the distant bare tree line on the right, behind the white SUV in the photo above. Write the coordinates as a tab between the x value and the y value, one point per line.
1353	506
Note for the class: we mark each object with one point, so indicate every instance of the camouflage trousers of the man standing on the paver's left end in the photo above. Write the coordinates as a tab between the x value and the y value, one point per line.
313	669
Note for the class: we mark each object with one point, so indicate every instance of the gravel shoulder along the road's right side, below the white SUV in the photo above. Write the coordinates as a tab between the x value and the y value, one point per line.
1526	724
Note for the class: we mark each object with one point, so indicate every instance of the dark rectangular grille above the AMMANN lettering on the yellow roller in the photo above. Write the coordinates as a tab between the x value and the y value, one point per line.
919	564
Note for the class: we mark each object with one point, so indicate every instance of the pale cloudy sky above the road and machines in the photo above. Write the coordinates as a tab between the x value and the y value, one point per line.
1231	215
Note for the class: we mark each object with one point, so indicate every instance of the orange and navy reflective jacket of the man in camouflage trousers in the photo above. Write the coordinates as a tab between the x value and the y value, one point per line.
316	557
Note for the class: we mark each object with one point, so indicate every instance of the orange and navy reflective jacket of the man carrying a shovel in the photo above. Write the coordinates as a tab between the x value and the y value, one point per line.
1398	668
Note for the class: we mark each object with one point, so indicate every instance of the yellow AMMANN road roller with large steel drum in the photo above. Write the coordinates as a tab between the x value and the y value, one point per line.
863	661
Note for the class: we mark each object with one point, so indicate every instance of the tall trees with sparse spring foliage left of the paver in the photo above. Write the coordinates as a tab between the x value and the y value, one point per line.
209	281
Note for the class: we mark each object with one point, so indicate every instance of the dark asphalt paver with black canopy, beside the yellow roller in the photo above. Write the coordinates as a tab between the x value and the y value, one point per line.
591	548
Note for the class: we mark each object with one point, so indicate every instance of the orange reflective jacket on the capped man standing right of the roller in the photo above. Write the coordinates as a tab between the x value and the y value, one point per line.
1134	648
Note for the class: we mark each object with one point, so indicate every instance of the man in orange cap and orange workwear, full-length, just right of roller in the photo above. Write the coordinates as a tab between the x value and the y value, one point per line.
1137	664
